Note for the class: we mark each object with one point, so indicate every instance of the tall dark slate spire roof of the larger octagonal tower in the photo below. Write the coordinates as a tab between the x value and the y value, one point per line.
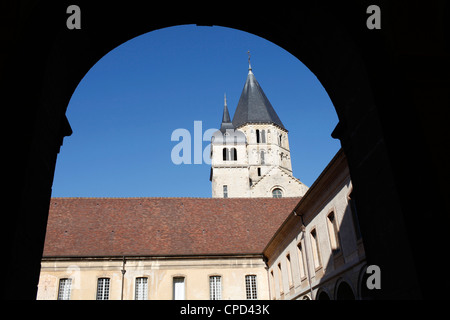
253	105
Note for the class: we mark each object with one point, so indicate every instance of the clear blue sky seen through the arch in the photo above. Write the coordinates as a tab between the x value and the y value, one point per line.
125	109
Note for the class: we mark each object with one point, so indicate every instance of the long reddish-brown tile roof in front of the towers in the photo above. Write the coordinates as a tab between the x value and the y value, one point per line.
93	227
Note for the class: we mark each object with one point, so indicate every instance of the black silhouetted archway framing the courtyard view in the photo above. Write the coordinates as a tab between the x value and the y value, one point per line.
387	109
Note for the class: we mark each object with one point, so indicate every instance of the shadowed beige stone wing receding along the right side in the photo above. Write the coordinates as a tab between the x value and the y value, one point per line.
319	248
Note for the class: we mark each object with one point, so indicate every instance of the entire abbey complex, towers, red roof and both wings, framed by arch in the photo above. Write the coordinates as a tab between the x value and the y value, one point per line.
262	235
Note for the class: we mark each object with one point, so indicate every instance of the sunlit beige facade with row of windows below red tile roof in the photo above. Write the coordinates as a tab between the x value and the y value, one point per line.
159	274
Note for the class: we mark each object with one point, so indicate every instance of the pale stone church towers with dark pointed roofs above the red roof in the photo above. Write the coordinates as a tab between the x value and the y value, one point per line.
250	155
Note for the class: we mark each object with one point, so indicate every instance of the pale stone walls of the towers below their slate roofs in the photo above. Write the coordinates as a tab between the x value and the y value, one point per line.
252	175
